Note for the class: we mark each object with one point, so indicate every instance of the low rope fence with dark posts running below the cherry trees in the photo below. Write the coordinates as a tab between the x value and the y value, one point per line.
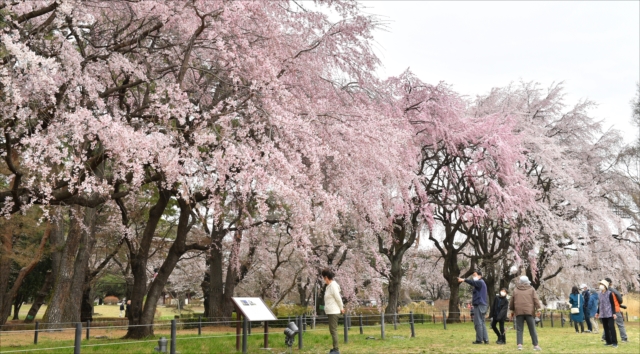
305	324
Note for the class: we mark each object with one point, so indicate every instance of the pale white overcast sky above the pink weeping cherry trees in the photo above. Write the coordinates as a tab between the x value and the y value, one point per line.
594	47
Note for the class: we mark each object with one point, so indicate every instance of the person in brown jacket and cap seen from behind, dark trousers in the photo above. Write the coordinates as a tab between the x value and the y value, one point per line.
524	304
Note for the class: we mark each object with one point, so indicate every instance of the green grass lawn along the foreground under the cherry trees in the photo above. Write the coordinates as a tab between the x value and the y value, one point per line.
429	338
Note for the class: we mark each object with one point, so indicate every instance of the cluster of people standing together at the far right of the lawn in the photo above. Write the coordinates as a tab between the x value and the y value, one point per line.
603	303
